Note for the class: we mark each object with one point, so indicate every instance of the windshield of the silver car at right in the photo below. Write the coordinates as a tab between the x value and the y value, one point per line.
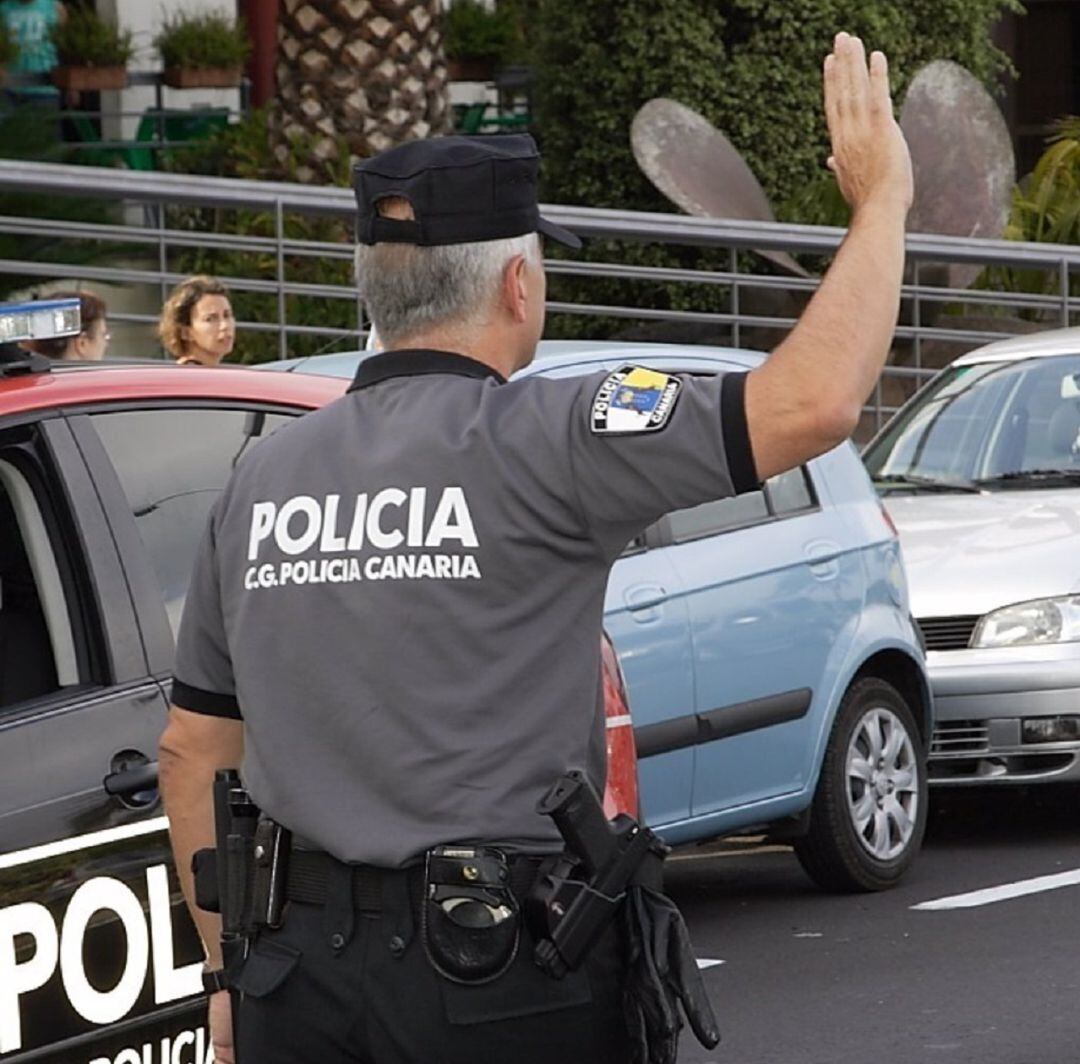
990	425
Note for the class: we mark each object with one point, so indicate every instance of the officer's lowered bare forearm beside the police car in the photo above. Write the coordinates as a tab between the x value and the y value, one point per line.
195	746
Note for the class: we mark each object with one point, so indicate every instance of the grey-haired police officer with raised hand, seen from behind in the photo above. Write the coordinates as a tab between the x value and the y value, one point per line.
395	619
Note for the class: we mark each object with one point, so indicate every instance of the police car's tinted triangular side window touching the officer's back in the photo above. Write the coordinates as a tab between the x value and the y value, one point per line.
172	465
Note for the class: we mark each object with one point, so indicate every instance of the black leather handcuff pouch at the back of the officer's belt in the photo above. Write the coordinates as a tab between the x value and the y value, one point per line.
470	923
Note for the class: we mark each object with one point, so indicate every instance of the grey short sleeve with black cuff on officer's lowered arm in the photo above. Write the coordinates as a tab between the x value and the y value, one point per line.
204	680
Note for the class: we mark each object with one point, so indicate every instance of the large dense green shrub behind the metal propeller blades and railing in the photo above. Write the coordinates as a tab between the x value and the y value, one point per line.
752	68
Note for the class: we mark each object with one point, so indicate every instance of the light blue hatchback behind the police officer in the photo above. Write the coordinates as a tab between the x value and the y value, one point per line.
776	677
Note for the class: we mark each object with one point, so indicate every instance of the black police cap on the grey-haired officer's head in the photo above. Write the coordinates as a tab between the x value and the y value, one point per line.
462	190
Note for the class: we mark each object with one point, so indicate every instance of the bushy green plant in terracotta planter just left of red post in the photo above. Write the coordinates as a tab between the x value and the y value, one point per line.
202	51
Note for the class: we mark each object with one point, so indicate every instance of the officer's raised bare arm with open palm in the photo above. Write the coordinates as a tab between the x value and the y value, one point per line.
808	396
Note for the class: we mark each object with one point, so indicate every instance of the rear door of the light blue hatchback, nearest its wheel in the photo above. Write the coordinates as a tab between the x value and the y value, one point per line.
771	592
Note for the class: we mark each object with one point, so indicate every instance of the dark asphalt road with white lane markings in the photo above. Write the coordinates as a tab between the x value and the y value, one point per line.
811	978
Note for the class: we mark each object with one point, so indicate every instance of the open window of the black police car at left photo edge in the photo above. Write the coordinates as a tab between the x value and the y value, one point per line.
37	649
